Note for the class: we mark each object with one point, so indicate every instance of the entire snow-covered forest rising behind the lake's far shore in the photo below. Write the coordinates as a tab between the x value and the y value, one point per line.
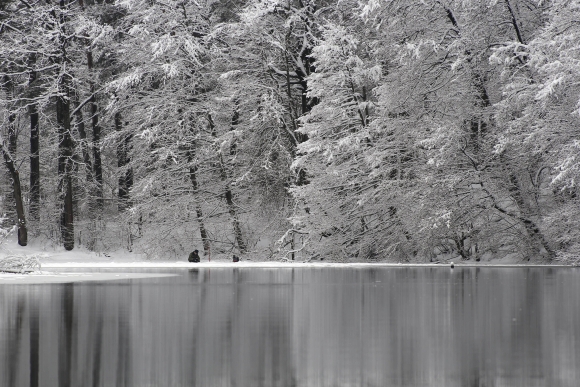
351	130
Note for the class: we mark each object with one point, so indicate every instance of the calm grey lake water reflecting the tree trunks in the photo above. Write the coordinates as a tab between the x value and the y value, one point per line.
467	327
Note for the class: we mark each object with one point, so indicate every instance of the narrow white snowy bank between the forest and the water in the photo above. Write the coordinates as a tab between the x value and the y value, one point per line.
125	265
